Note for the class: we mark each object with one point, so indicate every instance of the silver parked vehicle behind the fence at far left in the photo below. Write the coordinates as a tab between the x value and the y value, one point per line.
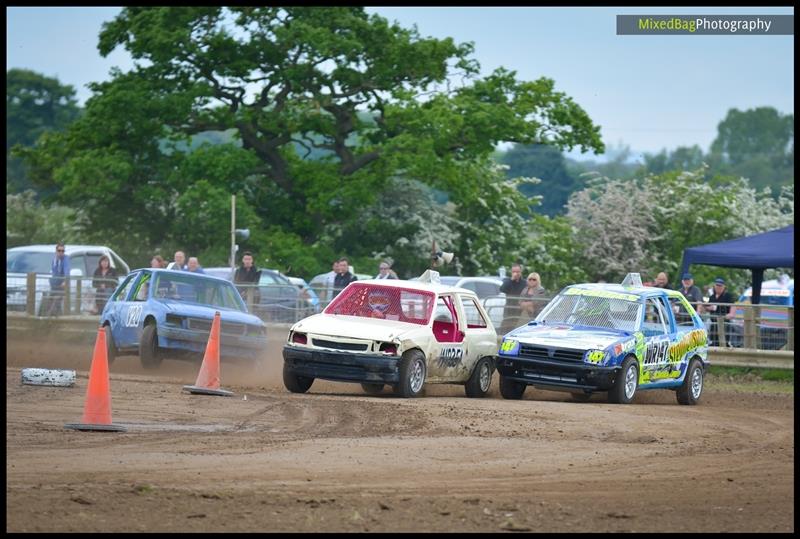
37	259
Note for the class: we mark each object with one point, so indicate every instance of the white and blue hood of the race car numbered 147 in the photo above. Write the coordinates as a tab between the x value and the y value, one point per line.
566	336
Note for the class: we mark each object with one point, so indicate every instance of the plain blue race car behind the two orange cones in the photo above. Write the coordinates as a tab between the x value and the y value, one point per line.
164	313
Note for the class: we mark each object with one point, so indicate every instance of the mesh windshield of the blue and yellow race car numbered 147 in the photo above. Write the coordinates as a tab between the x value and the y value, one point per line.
601	309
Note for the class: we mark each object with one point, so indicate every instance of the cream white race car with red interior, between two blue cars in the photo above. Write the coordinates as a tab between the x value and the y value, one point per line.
401	333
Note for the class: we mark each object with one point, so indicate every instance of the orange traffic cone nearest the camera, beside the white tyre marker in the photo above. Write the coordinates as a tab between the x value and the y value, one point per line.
97	409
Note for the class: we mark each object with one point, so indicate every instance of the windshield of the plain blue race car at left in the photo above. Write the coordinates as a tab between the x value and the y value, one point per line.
188	288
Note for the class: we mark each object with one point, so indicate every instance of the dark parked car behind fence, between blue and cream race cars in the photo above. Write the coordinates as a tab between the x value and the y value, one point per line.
275	299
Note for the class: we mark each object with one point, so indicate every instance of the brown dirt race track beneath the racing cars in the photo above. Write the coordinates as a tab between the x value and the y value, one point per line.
336	460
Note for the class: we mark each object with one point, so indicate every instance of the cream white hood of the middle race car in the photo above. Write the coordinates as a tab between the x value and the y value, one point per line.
354	327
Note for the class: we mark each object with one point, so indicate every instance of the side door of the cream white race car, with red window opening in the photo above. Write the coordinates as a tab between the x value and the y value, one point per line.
447	352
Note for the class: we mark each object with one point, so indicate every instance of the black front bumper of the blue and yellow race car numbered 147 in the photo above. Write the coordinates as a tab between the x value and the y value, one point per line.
558	375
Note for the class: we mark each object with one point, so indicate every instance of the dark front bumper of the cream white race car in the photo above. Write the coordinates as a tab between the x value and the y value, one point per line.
342	366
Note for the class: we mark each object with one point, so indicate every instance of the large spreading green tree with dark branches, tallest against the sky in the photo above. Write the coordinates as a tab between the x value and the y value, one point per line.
375	98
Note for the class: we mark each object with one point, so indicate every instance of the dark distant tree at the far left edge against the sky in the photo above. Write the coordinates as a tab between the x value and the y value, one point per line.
35	104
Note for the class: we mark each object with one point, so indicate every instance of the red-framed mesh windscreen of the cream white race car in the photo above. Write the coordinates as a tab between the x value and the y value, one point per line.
384	302
